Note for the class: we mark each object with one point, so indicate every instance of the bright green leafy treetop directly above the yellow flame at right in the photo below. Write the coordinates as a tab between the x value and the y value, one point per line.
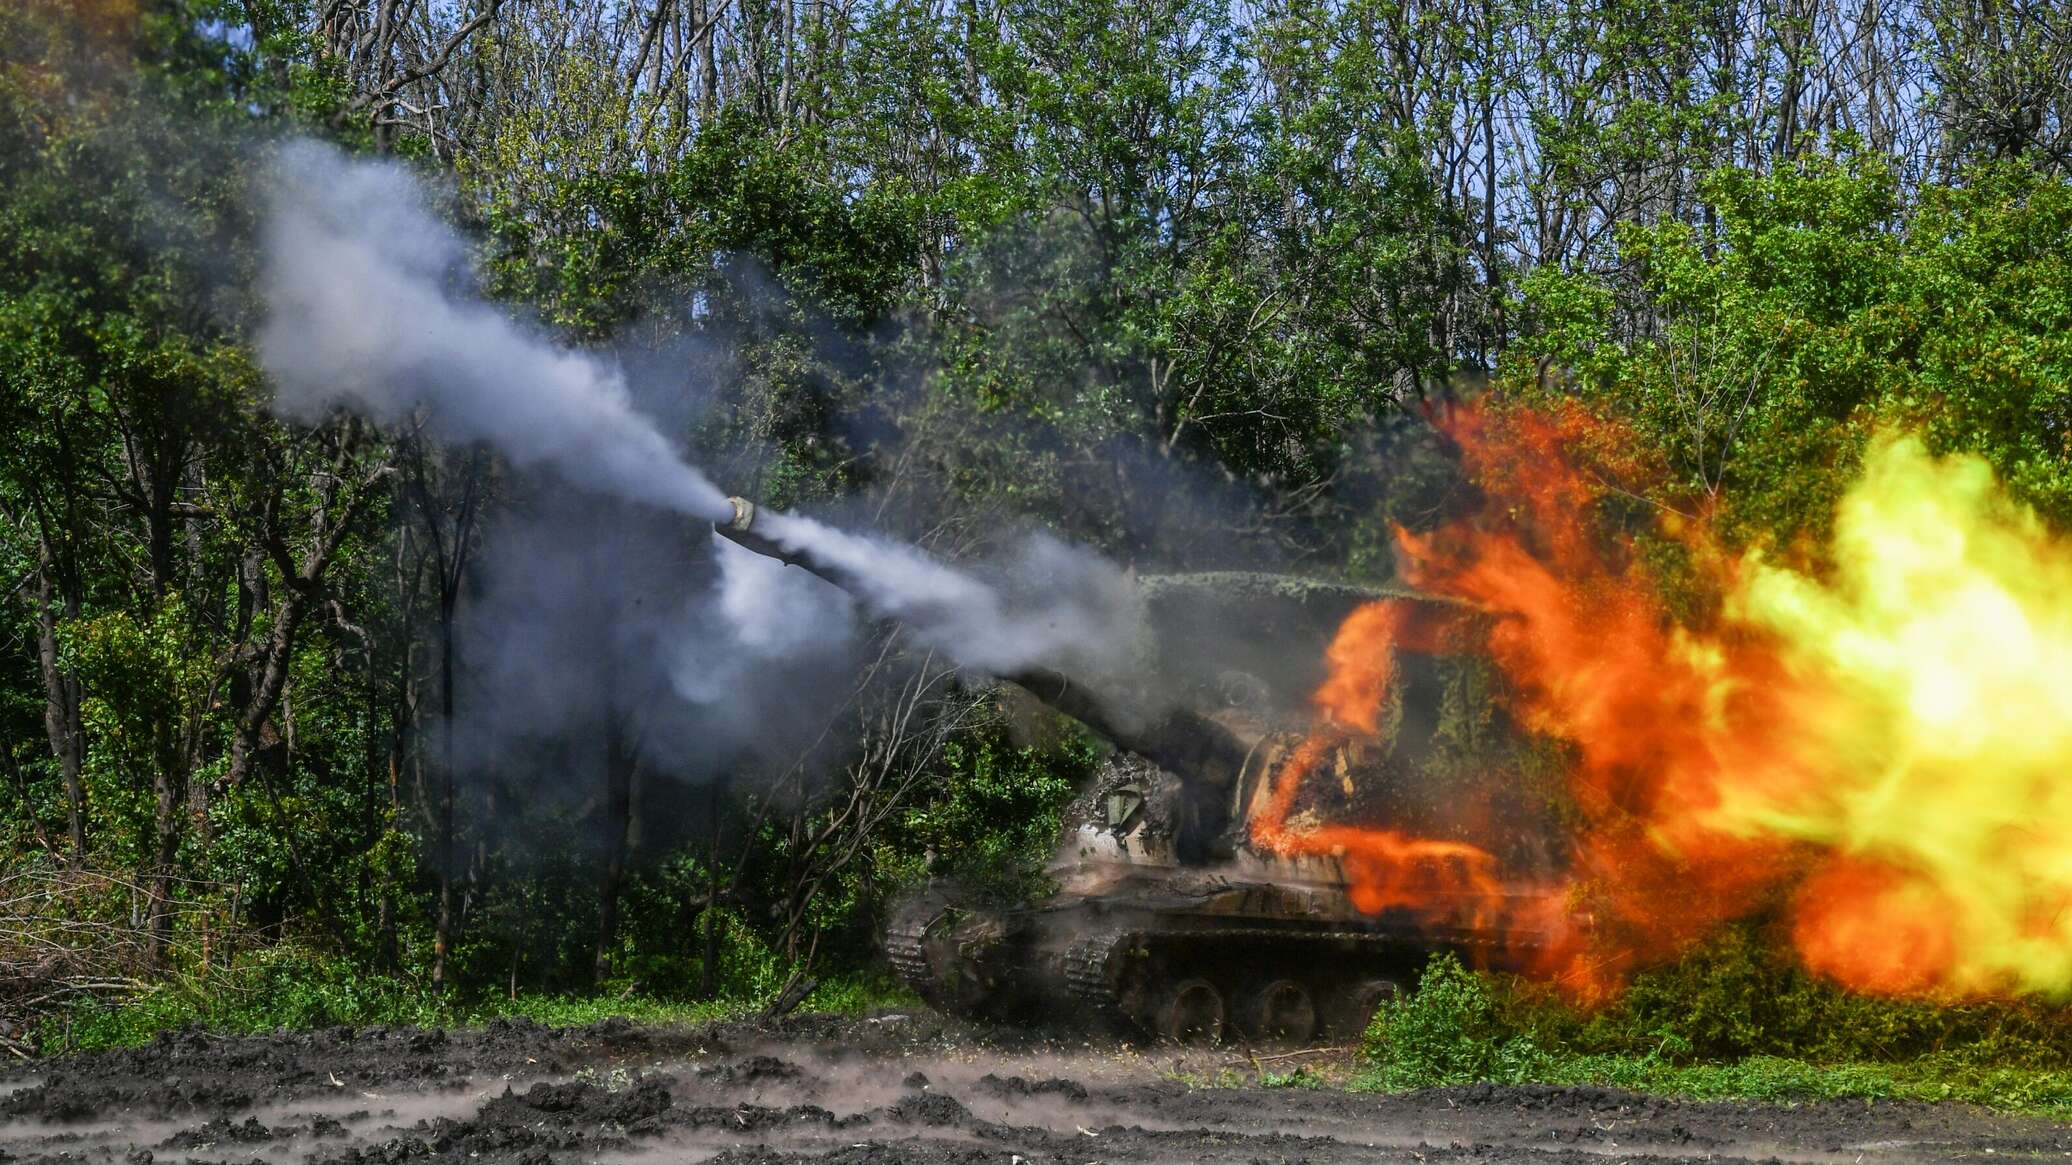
1818	308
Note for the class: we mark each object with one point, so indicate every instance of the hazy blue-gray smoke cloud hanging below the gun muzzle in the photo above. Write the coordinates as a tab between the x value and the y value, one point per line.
598	613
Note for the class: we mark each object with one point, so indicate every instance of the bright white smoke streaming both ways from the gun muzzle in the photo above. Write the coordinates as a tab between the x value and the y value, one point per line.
370	308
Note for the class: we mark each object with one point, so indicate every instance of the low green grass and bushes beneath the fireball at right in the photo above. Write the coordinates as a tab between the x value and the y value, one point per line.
1729	1021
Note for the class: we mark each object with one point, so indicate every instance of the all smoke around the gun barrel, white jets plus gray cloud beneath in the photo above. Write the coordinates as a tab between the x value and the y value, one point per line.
372	308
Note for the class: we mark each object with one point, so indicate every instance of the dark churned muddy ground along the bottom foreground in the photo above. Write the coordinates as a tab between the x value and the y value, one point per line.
875	1091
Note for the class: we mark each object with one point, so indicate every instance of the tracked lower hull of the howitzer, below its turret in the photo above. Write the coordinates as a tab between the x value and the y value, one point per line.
1253	948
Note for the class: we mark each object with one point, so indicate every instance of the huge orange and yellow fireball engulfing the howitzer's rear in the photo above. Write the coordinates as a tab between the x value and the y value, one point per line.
1706	768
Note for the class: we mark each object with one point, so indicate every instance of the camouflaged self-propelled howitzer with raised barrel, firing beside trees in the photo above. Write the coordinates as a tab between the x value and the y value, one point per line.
1168	917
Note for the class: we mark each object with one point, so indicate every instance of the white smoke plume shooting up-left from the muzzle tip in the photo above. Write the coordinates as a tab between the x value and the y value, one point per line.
368	310
